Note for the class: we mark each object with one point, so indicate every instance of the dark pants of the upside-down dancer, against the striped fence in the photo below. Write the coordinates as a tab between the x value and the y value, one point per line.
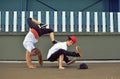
40	31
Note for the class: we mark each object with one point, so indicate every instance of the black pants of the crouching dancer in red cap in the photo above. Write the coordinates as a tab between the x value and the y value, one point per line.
56	55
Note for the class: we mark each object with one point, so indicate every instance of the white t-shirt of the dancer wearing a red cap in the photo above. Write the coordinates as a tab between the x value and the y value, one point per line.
56	47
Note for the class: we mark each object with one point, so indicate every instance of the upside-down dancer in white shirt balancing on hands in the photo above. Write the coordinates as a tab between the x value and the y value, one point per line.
37	29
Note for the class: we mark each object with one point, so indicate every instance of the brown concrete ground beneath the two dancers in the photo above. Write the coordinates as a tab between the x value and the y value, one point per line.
51	71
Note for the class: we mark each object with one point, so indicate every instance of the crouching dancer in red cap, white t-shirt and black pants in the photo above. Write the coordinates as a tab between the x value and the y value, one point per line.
59	52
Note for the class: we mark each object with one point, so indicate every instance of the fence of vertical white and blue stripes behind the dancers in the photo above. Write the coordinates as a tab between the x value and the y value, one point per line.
61	21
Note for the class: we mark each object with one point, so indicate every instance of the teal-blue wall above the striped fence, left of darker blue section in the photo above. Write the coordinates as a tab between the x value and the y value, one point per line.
50	5
